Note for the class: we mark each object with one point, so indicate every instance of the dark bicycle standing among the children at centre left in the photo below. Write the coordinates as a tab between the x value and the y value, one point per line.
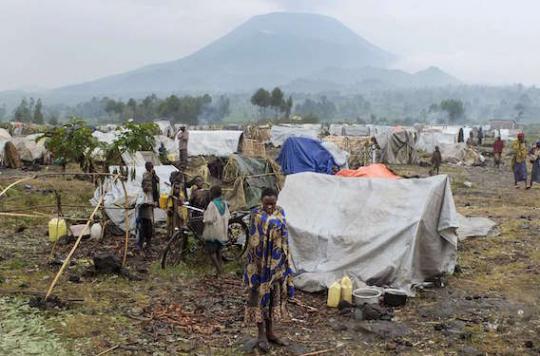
175	250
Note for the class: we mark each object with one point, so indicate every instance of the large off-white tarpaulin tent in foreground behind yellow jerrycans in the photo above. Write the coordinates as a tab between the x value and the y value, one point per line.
382	232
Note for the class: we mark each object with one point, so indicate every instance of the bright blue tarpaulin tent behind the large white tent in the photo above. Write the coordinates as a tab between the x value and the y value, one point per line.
302	154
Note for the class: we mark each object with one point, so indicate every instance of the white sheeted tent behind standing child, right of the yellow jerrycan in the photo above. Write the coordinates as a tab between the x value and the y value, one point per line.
114	199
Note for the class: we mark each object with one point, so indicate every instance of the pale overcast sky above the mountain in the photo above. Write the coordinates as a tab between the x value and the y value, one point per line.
50	43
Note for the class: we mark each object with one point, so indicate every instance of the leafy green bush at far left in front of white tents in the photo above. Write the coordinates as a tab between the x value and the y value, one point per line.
72	142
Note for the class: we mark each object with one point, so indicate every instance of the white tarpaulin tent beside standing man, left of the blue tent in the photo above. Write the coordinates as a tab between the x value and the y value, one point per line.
213	143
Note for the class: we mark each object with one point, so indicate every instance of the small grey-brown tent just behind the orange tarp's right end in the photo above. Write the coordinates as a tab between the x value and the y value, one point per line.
398	147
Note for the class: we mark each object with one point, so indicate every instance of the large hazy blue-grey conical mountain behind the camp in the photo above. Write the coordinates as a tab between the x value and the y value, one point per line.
267	50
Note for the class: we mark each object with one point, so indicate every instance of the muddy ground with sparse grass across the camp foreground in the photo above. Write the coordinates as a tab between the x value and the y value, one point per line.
491	306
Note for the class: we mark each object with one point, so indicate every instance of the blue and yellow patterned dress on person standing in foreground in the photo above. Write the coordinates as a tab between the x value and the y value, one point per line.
267	274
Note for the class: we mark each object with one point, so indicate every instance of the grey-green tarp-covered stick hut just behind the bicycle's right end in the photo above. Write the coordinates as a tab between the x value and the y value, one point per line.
249	176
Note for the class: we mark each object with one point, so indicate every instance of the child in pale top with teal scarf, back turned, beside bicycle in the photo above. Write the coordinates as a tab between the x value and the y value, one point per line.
216	221
